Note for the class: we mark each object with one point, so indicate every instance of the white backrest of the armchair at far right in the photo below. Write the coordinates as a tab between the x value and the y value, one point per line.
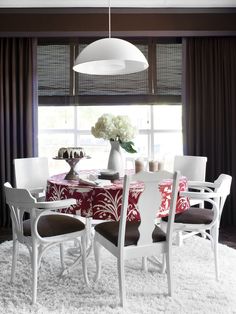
222	187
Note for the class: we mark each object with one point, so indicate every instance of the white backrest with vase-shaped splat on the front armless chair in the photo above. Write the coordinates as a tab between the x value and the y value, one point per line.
148	204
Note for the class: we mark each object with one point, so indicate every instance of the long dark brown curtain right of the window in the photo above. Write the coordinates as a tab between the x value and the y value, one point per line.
209	109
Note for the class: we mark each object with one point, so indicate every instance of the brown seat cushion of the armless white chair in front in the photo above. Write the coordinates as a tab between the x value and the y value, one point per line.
110	231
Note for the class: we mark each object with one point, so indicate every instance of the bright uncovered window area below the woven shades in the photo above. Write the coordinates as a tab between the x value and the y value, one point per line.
159	136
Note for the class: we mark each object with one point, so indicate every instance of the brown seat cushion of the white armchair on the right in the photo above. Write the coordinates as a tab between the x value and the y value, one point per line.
194	215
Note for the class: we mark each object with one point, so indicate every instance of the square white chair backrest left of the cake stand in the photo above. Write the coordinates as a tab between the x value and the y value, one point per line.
31	173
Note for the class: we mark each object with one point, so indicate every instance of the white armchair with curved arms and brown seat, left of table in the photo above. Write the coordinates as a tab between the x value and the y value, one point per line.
44	229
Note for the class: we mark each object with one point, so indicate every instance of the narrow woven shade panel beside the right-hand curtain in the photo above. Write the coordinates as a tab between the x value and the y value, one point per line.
168	69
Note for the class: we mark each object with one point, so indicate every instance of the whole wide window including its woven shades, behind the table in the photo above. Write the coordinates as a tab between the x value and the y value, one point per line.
70	103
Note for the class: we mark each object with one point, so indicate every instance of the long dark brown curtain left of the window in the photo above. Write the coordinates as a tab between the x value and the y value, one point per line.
17	108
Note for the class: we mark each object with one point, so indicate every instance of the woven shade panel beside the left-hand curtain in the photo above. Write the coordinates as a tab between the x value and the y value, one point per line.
53	67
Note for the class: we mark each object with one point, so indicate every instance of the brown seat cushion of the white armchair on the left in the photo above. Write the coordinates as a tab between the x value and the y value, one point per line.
53	225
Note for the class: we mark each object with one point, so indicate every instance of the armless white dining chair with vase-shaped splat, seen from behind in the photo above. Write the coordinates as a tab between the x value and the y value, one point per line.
125	239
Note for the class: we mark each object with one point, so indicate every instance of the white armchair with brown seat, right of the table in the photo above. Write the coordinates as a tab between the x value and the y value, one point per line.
205	220
